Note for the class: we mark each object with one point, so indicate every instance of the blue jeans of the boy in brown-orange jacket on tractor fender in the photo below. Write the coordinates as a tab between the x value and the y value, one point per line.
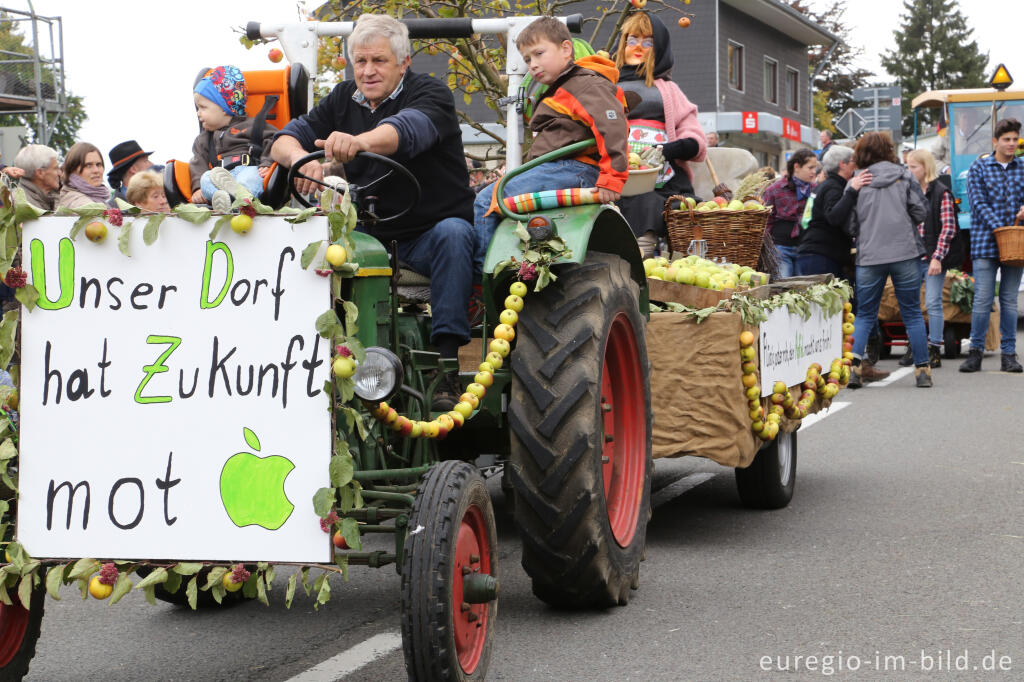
563	175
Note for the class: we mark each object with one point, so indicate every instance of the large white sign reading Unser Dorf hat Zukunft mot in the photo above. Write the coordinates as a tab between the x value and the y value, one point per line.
173	402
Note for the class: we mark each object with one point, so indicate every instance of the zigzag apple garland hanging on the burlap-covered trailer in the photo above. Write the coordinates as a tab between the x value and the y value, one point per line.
766	425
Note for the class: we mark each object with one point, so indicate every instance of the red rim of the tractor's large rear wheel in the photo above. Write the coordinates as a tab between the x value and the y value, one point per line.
624	455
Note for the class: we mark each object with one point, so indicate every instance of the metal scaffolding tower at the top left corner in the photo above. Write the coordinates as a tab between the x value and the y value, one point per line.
32	75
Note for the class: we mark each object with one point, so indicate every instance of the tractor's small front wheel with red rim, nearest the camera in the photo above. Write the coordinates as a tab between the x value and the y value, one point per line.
450	577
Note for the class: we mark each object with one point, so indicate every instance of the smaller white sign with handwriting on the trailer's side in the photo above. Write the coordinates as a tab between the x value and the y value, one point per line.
791	345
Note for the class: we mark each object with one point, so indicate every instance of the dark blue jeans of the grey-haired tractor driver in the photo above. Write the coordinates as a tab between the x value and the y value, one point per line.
445	253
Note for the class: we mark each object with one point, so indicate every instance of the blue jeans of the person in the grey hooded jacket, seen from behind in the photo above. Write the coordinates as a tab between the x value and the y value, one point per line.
907	282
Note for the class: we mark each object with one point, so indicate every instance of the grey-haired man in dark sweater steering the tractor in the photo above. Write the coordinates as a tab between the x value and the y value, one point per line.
390	110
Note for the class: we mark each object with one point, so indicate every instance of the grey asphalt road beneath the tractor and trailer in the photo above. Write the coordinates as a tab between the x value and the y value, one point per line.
905	541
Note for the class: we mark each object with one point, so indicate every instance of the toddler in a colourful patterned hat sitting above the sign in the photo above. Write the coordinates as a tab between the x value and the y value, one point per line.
225	155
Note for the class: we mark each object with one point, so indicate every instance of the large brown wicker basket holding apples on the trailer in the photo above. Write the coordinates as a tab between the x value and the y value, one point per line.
736	236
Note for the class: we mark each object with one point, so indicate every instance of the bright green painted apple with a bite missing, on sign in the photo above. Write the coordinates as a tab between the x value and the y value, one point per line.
252	488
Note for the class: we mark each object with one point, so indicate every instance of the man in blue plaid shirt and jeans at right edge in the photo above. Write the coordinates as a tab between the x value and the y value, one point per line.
996	191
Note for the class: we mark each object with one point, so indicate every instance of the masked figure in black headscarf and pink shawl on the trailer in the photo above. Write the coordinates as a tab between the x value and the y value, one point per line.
660	115
